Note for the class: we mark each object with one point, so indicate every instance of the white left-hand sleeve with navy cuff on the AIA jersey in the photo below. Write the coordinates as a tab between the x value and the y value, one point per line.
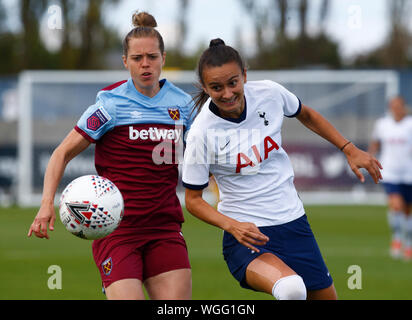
195	170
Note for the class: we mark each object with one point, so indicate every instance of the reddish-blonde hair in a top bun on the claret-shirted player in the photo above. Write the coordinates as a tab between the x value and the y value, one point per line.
145	25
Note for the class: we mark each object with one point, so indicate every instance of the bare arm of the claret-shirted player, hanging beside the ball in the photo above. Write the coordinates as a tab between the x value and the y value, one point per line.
70	147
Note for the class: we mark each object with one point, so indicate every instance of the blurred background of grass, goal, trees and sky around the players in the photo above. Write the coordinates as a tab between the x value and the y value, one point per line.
342	58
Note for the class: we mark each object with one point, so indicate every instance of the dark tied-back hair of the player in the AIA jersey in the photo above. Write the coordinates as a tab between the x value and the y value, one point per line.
216	55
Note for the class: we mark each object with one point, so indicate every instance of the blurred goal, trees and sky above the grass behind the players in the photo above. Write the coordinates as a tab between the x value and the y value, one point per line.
343	58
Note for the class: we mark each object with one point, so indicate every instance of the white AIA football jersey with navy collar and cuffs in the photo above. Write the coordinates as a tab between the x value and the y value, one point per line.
245	155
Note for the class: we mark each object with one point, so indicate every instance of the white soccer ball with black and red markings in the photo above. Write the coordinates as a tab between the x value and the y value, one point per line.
91	207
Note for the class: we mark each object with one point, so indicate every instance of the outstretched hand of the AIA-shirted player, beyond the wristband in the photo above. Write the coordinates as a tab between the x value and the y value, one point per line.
360	159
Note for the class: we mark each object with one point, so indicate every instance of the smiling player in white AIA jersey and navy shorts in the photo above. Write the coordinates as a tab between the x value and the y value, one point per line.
268	244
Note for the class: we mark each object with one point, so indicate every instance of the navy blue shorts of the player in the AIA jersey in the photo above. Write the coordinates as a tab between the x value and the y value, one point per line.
293	242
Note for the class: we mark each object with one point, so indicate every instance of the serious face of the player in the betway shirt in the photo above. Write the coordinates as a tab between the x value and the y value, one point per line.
144	62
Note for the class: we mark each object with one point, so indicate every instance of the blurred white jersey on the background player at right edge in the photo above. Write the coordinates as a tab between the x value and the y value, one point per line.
396	148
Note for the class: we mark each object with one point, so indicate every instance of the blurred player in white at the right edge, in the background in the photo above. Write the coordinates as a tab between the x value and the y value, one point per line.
392	138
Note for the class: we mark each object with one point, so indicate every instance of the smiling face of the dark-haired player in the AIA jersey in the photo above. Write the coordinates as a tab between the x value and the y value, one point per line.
225	85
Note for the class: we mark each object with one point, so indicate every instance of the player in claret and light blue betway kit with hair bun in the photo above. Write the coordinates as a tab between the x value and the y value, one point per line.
137	126
